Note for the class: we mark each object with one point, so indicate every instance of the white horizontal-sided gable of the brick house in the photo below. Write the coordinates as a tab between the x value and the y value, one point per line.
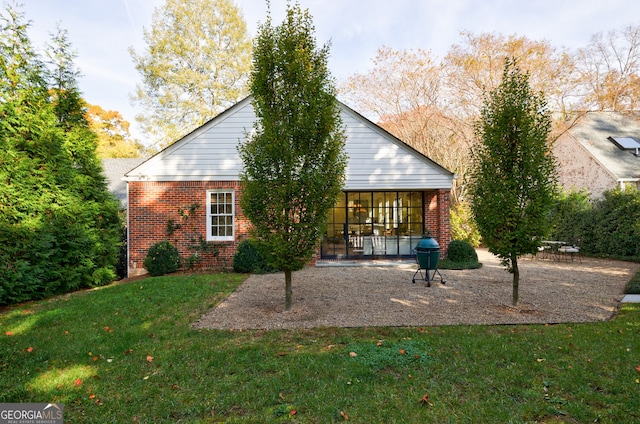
377	160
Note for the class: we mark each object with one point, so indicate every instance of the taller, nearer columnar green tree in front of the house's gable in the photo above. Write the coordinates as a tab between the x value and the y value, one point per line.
294	164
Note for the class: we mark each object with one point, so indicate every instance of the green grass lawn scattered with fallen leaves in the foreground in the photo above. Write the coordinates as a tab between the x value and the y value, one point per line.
126	353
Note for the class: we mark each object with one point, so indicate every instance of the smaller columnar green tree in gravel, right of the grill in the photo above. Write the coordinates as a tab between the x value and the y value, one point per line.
513	179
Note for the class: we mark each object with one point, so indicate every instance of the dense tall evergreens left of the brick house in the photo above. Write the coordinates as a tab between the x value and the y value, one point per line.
59	226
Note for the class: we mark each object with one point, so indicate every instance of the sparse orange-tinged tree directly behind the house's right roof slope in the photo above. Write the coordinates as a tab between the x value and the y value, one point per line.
404	92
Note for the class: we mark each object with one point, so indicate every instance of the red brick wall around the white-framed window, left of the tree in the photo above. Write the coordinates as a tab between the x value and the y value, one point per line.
153	204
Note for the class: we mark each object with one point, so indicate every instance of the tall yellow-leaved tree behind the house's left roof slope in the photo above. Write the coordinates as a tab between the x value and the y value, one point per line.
196	65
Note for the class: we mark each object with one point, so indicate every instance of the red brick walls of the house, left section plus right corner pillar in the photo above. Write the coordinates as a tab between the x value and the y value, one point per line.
154	205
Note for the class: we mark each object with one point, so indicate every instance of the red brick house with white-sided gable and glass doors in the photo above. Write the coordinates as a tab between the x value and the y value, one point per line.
191	190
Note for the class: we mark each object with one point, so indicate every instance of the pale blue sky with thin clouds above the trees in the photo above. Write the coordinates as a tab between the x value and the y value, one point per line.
103	31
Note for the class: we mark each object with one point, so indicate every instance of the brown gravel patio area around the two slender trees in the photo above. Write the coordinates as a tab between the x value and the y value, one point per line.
550	292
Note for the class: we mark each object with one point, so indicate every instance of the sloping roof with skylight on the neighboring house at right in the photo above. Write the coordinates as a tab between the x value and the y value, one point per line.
594	130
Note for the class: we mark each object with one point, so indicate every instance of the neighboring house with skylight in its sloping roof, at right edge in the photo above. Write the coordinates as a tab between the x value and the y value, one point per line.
601	151
